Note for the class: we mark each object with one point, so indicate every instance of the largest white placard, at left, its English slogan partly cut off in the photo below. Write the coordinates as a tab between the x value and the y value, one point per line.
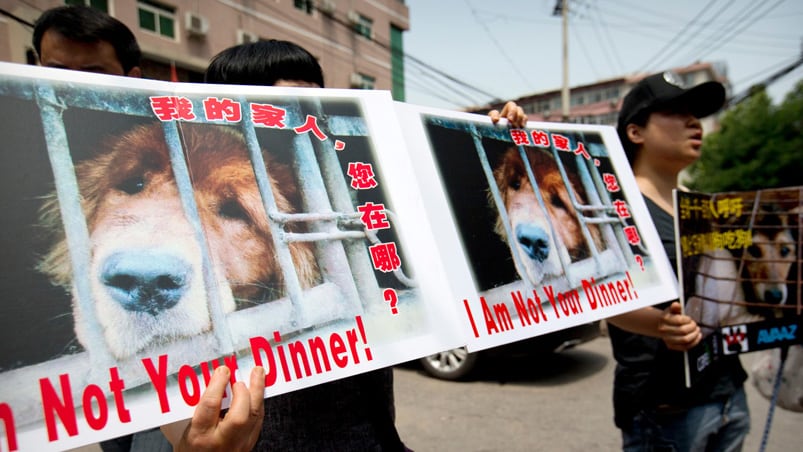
154	233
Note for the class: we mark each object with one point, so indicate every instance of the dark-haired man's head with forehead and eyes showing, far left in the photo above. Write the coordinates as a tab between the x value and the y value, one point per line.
86	39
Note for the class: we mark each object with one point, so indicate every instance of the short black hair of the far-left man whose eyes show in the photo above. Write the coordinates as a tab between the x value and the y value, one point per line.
89	25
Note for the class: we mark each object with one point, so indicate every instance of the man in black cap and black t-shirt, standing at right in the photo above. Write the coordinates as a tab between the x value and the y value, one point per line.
661	133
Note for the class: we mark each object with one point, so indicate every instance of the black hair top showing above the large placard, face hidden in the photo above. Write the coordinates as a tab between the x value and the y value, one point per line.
264	63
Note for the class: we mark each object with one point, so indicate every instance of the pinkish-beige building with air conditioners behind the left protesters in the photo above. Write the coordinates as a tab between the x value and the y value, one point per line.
357	42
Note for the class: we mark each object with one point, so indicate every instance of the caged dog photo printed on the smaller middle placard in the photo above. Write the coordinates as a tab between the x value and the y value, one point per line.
531	214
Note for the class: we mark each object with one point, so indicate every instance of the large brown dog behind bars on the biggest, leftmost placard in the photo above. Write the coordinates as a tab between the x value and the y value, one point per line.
146	272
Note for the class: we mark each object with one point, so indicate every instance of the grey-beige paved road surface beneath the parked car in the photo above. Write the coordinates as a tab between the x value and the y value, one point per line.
560	403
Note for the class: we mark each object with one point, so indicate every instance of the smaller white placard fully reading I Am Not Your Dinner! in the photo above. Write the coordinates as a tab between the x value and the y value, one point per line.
552	228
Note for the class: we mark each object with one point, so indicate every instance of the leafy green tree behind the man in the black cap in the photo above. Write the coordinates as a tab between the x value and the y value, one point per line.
757	146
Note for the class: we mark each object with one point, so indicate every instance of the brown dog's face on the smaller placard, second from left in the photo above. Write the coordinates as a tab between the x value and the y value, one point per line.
528	220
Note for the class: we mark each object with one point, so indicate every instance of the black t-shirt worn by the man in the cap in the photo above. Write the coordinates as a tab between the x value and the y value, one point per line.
649	375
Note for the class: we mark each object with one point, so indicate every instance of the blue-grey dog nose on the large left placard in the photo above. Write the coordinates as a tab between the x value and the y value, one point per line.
145	280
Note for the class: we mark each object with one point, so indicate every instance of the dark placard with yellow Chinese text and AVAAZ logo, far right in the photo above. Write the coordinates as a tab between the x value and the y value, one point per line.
740	257
